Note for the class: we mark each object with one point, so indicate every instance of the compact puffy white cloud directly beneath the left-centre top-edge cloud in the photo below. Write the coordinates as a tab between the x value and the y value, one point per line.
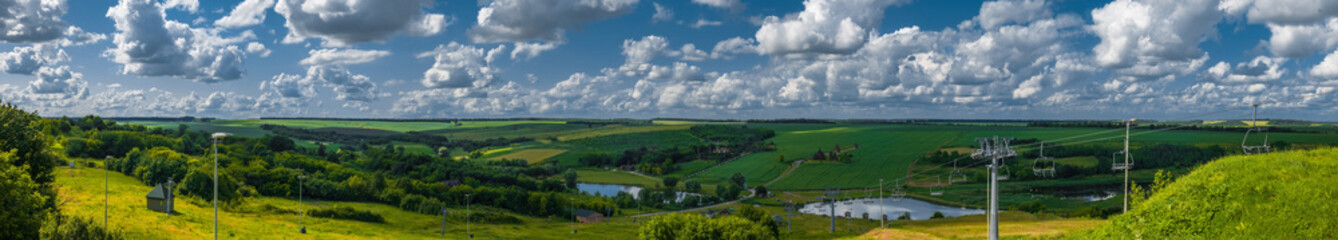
458	66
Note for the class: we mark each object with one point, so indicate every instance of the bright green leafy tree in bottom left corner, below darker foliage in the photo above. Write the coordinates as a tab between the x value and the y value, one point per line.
22	199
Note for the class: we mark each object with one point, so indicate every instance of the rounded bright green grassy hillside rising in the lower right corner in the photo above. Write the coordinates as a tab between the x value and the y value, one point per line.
1270	196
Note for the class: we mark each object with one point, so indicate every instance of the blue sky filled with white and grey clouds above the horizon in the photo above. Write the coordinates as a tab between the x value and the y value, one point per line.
737	60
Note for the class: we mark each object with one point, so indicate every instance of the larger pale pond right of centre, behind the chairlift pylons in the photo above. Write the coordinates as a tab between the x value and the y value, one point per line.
919	210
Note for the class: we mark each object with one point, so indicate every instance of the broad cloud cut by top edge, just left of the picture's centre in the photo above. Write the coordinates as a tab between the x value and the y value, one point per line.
522	21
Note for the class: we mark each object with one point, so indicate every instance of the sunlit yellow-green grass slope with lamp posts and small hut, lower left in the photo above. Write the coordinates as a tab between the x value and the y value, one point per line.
81	195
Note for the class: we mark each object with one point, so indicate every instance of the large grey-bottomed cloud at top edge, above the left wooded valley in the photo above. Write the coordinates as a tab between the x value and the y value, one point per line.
349	22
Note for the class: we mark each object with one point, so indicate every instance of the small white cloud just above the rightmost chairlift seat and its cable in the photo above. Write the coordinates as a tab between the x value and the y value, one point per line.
1261	70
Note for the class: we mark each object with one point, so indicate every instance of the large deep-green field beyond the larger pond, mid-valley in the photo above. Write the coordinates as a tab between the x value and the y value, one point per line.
885	152
